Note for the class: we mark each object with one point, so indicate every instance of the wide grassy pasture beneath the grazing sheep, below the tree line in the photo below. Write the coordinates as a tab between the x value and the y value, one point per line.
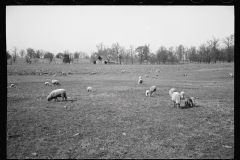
117	120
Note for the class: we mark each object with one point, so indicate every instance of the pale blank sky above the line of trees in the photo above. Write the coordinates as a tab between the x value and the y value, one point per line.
81	28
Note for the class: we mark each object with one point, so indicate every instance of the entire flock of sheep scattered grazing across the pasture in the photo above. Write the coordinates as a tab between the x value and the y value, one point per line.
176	97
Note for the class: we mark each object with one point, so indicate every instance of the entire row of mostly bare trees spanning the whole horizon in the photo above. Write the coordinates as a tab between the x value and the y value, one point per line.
211	51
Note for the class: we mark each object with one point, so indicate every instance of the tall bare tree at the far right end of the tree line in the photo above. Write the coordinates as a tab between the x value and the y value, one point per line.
229	42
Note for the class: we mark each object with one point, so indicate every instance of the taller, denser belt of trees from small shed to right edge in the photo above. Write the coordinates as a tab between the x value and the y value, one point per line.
211	51
